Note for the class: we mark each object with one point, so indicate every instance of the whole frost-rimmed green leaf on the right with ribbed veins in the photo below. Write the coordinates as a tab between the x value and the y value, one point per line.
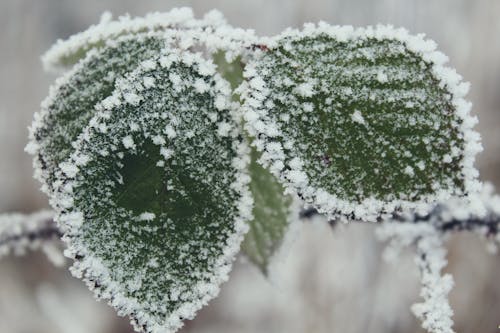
358	111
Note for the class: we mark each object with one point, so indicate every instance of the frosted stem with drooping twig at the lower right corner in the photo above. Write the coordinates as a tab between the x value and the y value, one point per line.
478	212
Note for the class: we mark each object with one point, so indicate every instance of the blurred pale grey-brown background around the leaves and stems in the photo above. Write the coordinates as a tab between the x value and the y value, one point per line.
330	280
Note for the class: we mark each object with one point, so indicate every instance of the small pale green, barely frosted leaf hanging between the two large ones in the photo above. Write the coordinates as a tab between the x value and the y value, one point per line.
273	214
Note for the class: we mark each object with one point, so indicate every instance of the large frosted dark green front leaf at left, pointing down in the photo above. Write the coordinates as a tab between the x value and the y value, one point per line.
157	239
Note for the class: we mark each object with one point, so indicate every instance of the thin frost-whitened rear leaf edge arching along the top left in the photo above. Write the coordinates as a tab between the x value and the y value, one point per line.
211	30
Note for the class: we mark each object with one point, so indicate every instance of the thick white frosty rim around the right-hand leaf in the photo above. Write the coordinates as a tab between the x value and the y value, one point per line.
259	124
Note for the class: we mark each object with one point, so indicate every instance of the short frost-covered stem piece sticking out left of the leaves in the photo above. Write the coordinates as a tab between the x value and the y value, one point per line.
22	232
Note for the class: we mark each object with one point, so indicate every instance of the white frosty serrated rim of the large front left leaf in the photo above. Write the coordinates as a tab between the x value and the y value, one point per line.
84	266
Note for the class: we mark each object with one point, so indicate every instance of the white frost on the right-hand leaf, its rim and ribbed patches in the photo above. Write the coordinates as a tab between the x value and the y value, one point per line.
266	128
